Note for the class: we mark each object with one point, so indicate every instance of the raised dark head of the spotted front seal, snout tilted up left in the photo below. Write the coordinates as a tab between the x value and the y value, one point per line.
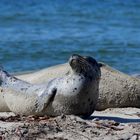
86	65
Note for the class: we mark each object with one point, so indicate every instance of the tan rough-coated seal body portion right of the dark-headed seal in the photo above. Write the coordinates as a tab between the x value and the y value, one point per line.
117	89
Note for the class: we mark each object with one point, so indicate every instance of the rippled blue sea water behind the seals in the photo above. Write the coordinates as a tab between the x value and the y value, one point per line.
39	33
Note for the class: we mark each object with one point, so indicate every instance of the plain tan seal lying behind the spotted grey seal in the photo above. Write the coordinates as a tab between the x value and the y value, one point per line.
116	89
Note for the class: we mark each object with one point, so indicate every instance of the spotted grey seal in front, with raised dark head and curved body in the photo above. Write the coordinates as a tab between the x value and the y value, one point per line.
76	92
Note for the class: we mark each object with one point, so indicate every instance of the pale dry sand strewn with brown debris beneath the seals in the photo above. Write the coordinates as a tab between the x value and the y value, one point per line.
111	124
